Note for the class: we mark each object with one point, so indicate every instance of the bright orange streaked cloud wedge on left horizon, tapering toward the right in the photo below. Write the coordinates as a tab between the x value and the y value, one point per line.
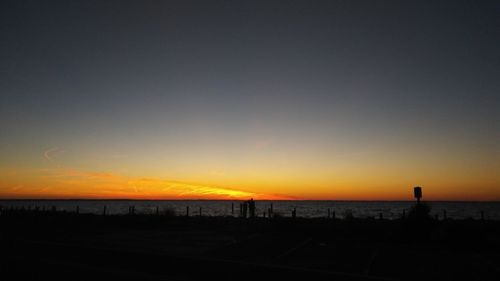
74	184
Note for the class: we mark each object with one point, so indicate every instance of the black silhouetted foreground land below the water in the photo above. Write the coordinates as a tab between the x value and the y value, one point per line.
66	246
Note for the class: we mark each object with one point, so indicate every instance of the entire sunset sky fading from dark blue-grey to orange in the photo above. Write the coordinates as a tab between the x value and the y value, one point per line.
342	100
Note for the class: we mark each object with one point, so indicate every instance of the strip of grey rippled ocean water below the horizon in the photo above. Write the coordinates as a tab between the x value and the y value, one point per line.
308	209
